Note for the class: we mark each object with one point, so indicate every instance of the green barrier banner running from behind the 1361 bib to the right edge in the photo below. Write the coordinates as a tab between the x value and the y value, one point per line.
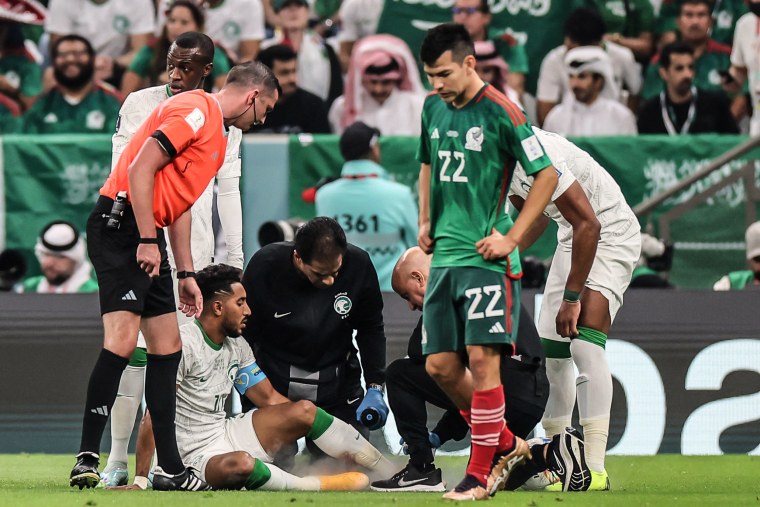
708	240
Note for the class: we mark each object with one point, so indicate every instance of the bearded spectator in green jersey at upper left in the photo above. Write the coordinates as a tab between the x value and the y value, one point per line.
79	102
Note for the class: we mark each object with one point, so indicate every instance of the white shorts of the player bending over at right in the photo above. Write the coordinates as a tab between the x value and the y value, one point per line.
610	275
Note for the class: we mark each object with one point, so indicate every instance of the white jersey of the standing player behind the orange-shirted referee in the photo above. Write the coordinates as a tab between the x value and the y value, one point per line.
135	110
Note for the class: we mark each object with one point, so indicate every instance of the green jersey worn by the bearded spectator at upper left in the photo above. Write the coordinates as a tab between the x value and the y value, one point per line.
53	114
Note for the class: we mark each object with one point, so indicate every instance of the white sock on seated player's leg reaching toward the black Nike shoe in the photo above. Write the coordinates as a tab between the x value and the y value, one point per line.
341	439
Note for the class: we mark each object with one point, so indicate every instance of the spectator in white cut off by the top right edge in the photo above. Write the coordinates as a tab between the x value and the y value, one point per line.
745	65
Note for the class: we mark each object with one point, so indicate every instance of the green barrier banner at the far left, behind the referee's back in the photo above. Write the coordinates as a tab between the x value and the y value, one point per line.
50	177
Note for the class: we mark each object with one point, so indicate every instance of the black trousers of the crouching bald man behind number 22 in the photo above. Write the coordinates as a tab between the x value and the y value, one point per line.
526	390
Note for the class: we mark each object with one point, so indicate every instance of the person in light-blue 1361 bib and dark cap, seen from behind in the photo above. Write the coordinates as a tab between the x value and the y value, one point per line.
378	215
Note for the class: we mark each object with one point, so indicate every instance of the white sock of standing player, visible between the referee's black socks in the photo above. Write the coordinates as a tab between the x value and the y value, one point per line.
124	411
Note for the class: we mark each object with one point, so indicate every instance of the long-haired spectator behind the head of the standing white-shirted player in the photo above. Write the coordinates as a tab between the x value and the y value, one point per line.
148	68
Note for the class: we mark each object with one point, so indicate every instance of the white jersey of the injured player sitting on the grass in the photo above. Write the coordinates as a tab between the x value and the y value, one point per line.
205	376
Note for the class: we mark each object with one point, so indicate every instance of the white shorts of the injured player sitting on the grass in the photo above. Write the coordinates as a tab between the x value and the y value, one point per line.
239	435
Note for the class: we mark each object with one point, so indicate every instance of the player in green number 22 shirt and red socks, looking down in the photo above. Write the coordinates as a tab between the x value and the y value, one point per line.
472	137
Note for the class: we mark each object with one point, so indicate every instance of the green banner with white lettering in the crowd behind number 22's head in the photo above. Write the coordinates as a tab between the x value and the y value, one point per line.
536	24
